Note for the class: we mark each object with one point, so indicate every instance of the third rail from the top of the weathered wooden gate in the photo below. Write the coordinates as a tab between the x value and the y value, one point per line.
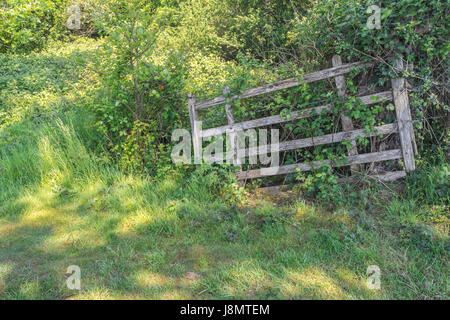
314	141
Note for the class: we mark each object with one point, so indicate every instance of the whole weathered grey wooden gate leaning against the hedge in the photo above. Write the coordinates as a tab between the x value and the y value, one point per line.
403	125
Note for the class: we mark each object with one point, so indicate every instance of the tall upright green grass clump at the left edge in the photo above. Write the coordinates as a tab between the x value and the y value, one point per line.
51	153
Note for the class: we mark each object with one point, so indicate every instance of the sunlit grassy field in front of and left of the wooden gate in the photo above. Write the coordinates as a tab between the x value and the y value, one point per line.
135	237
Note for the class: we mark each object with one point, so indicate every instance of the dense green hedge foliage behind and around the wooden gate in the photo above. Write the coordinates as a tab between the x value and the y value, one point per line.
154	54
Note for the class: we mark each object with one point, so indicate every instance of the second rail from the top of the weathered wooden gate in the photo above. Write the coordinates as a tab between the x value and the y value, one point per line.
266	121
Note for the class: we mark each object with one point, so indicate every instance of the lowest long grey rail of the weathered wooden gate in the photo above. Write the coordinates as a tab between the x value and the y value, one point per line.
292	168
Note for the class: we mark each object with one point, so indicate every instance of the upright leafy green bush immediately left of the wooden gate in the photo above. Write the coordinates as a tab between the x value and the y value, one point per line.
142	102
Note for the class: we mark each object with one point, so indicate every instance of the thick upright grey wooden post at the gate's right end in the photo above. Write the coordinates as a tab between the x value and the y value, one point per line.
405	128
